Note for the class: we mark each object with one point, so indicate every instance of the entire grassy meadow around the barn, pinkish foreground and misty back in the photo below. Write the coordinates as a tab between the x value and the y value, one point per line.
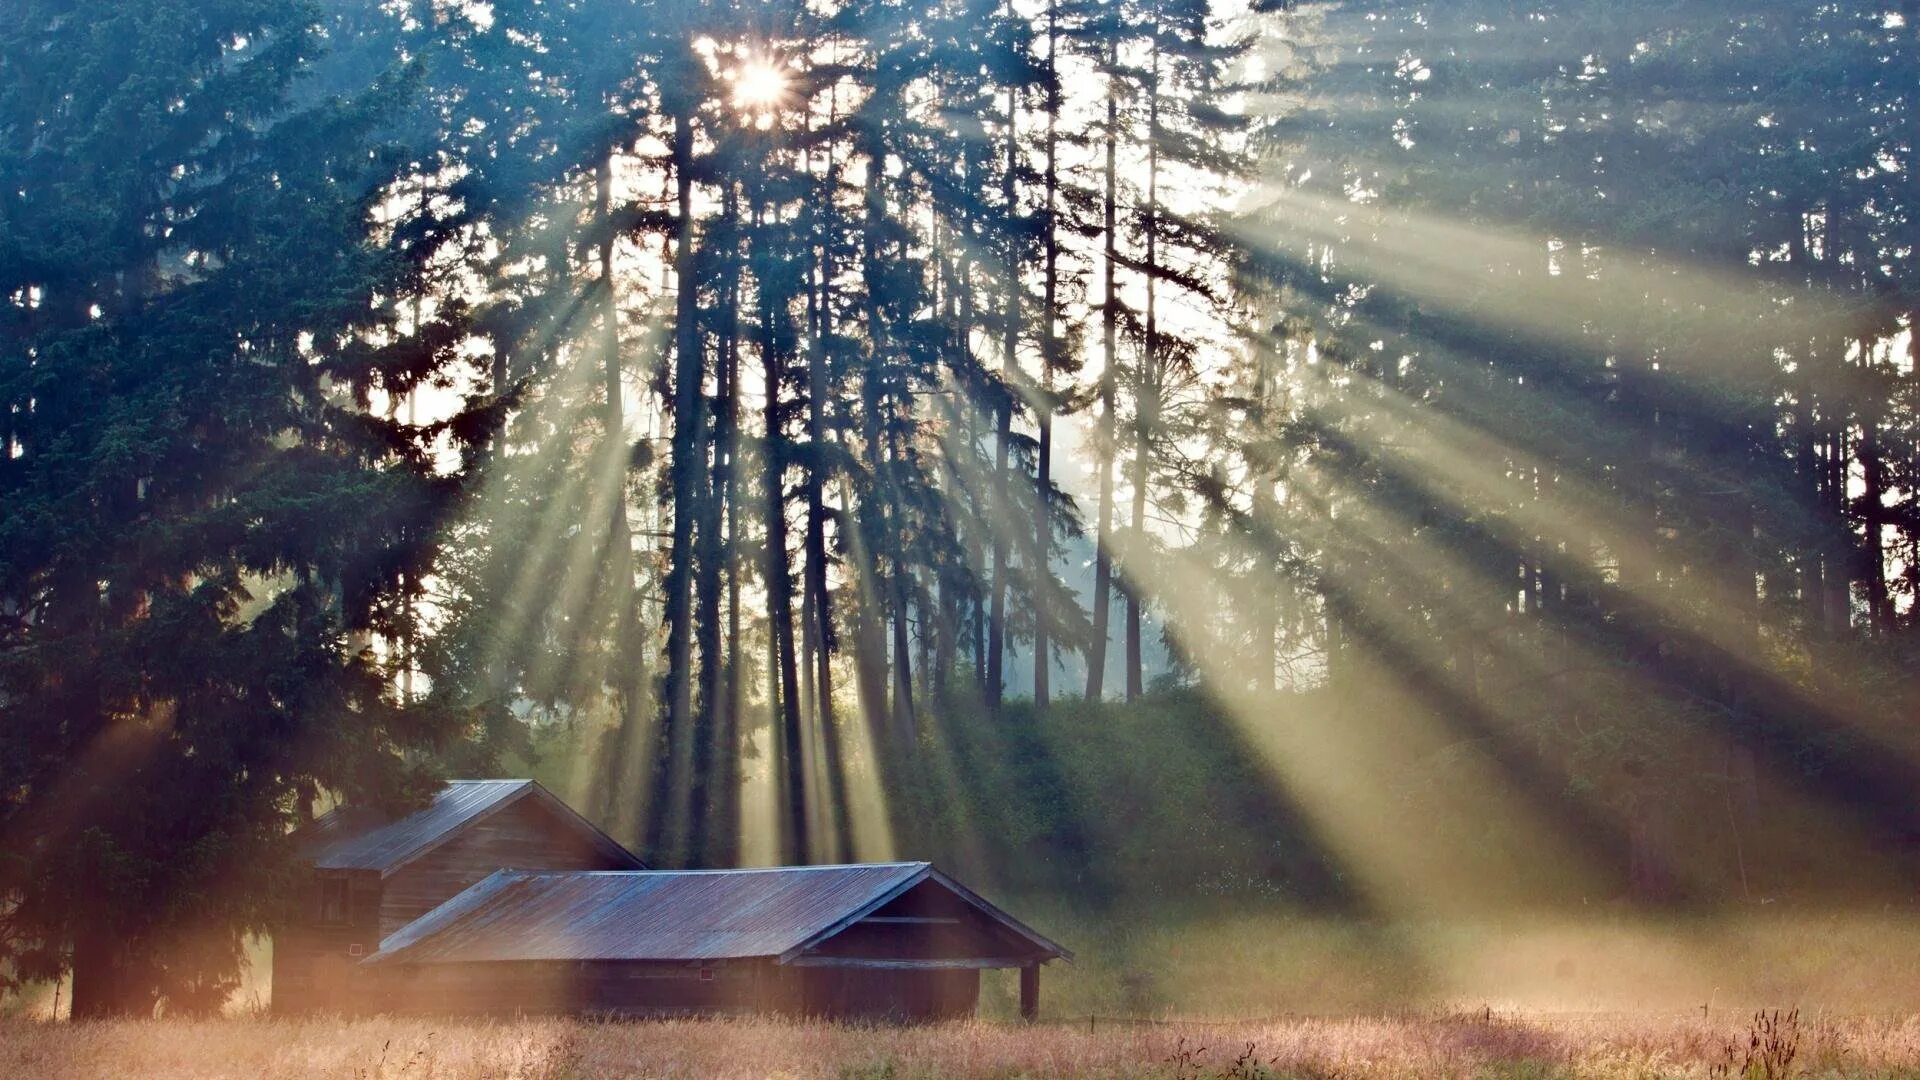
1247	996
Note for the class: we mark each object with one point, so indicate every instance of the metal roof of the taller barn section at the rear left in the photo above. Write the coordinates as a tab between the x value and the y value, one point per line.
356	839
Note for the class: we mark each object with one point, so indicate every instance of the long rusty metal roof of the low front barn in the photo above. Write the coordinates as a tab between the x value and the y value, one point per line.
660	916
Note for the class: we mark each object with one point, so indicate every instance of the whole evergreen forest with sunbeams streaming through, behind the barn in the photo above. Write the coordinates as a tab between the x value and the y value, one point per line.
1360	460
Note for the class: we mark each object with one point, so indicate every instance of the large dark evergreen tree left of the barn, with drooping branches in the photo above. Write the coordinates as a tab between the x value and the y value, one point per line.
214	531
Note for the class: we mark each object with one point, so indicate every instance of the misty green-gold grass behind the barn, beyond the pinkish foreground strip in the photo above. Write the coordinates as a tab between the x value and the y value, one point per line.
1268	964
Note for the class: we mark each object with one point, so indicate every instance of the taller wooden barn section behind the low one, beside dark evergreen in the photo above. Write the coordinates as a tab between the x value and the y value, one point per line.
368	875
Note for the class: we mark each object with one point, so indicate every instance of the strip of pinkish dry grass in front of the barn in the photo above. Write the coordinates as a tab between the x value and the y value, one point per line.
1312	1048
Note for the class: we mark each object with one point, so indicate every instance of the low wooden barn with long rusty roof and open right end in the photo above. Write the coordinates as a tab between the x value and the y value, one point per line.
890	941
